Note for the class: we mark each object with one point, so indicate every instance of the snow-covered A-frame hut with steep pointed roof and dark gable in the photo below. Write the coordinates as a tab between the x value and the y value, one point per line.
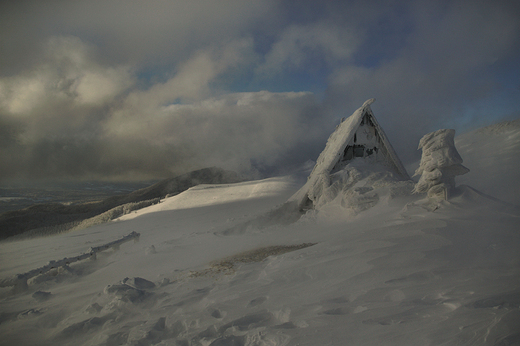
358	136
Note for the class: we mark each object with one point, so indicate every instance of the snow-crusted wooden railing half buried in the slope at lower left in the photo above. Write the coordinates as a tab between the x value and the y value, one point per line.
19	281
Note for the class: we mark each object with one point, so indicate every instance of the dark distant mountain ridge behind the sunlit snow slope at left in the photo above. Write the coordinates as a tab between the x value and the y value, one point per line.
51	218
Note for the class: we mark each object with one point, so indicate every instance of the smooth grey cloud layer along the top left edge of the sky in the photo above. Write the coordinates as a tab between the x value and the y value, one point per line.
127	31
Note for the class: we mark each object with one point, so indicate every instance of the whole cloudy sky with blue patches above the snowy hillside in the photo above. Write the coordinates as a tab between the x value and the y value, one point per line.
150	89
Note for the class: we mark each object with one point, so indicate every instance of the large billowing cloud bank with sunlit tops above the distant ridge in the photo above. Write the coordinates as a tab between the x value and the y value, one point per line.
77	117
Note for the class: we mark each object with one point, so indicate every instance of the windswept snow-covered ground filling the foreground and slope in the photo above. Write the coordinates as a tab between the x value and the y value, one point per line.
403	272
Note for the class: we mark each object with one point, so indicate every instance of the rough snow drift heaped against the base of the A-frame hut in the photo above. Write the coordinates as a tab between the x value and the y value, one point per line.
356	188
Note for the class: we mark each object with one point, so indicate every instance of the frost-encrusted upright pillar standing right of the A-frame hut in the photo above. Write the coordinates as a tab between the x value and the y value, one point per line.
440	163
